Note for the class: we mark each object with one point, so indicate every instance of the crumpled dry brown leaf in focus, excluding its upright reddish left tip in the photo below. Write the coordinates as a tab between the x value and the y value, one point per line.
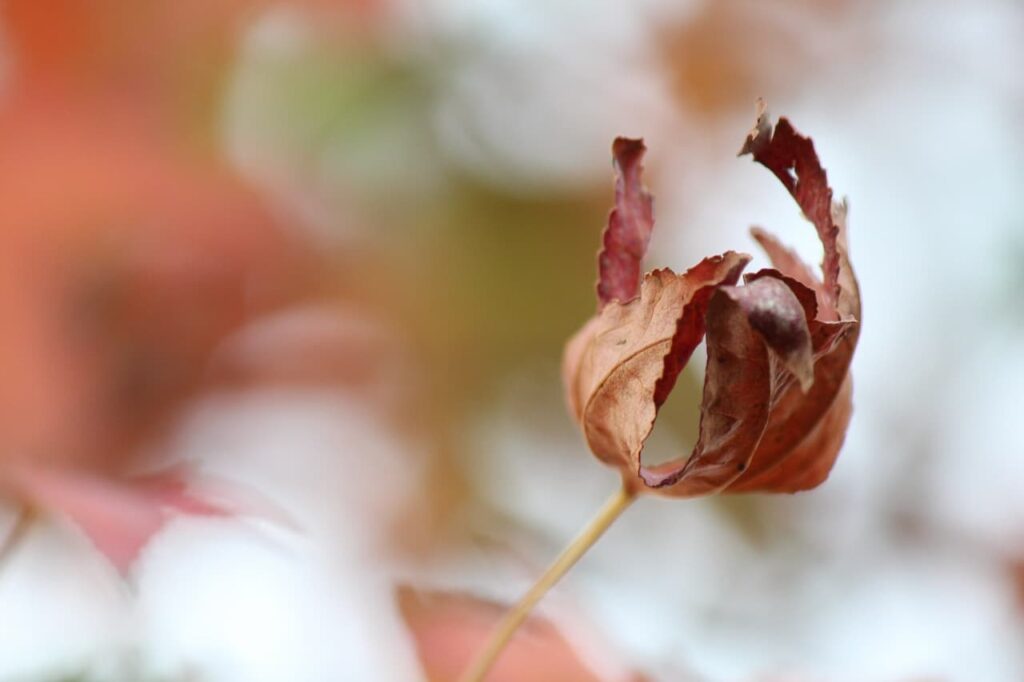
777	397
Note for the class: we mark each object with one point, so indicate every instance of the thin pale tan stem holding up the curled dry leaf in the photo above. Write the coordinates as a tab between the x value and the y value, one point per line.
503	633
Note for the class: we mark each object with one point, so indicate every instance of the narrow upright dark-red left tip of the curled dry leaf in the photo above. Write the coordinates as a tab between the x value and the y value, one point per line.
630	226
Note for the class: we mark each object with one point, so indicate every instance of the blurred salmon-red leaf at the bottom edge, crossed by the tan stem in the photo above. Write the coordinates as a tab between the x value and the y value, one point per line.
450	630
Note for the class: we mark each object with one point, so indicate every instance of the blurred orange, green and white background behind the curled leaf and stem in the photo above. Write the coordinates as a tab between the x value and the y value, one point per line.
284	289
